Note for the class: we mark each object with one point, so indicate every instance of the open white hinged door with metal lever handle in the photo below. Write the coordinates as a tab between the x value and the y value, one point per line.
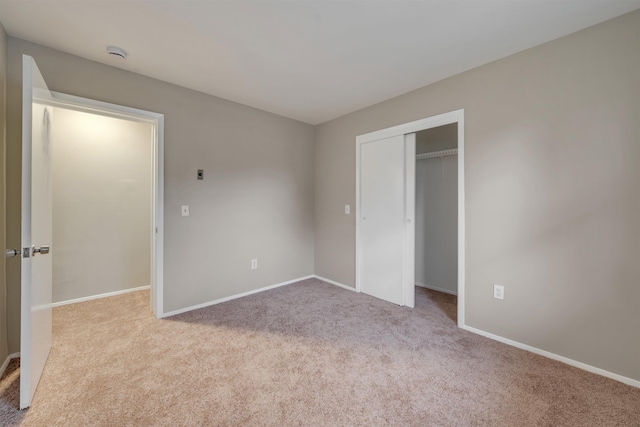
36	309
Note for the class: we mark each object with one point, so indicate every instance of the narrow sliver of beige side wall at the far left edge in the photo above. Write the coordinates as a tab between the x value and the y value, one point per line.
3	289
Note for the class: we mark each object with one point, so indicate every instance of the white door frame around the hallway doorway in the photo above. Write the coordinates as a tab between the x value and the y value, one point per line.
156	120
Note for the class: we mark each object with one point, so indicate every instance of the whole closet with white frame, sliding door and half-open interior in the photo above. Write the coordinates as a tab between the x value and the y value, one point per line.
386	260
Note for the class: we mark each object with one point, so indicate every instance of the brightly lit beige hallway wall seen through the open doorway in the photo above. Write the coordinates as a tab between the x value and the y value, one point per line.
101	204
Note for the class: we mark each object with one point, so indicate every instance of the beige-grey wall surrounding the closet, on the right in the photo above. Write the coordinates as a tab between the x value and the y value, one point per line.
552	192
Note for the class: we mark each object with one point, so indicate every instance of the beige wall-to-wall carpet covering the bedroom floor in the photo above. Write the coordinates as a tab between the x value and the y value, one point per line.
307	354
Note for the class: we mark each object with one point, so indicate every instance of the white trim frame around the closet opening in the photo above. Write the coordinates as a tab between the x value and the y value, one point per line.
456	116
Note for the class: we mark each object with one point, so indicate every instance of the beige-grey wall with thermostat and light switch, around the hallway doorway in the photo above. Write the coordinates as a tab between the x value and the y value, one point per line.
256	199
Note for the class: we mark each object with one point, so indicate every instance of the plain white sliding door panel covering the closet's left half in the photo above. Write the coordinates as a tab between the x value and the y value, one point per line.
386	191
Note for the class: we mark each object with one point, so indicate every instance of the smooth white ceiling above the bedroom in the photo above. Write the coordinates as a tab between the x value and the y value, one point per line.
307	59
